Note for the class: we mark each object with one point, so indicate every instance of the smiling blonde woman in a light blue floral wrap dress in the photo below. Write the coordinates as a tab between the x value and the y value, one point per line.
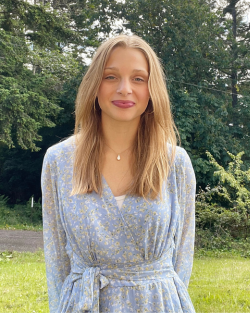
118	196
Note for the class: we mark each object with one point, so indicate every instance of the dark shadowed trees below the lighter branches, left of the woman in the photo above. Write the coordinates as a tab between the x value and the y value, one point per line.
20	170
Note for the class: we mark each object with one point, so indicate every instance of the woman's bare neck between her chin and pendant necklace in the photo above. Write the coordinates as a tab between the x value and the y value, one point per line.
119	135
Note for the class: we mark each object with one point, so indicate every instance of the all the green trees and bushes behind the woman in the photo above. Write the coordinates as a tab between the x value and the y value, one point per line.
204	47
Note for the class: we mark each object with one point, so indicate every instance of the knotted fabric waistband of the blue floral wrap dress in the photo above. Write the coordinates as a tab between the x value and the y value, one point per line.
95	276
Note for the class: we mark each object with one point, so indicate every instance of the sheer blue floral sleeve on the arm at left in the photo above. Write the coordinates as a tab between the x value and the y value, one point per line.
56	258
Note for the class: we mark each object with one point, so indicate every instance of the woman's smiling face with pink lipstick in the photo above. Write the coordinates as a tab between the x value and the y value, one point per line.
123	94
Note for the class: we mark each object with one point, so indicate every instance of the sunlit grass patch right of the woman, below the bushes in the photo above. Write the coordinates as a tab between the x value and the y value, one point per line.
220	284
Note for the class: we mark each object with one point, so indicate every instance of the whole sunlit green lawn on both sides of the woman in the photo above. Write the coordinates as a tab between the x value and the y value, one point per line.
219	284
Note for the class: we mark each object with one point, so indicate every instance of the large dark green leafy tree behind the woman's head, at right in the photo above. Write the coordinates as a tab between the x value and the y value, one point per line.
189	38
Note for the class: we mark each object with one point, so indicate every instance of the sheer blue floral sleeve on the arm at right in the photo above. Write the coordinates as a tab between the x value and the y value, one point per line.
185	233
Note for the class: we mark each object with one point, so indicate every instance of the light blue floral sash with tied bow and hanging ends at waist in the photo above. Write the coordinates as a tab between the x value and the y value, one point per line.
94	278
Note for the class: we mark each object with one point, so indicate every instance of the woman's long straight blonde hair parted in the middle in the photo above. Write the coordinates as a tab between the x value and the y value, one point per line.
156	128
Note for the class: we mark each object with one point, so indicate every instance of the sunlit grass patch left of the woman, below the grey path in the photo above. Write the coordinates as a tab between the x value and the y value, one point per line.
23	283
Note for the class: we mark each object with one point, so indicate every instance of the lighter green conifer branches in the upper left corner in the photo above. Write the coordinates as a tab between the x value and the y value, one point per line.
32	71
